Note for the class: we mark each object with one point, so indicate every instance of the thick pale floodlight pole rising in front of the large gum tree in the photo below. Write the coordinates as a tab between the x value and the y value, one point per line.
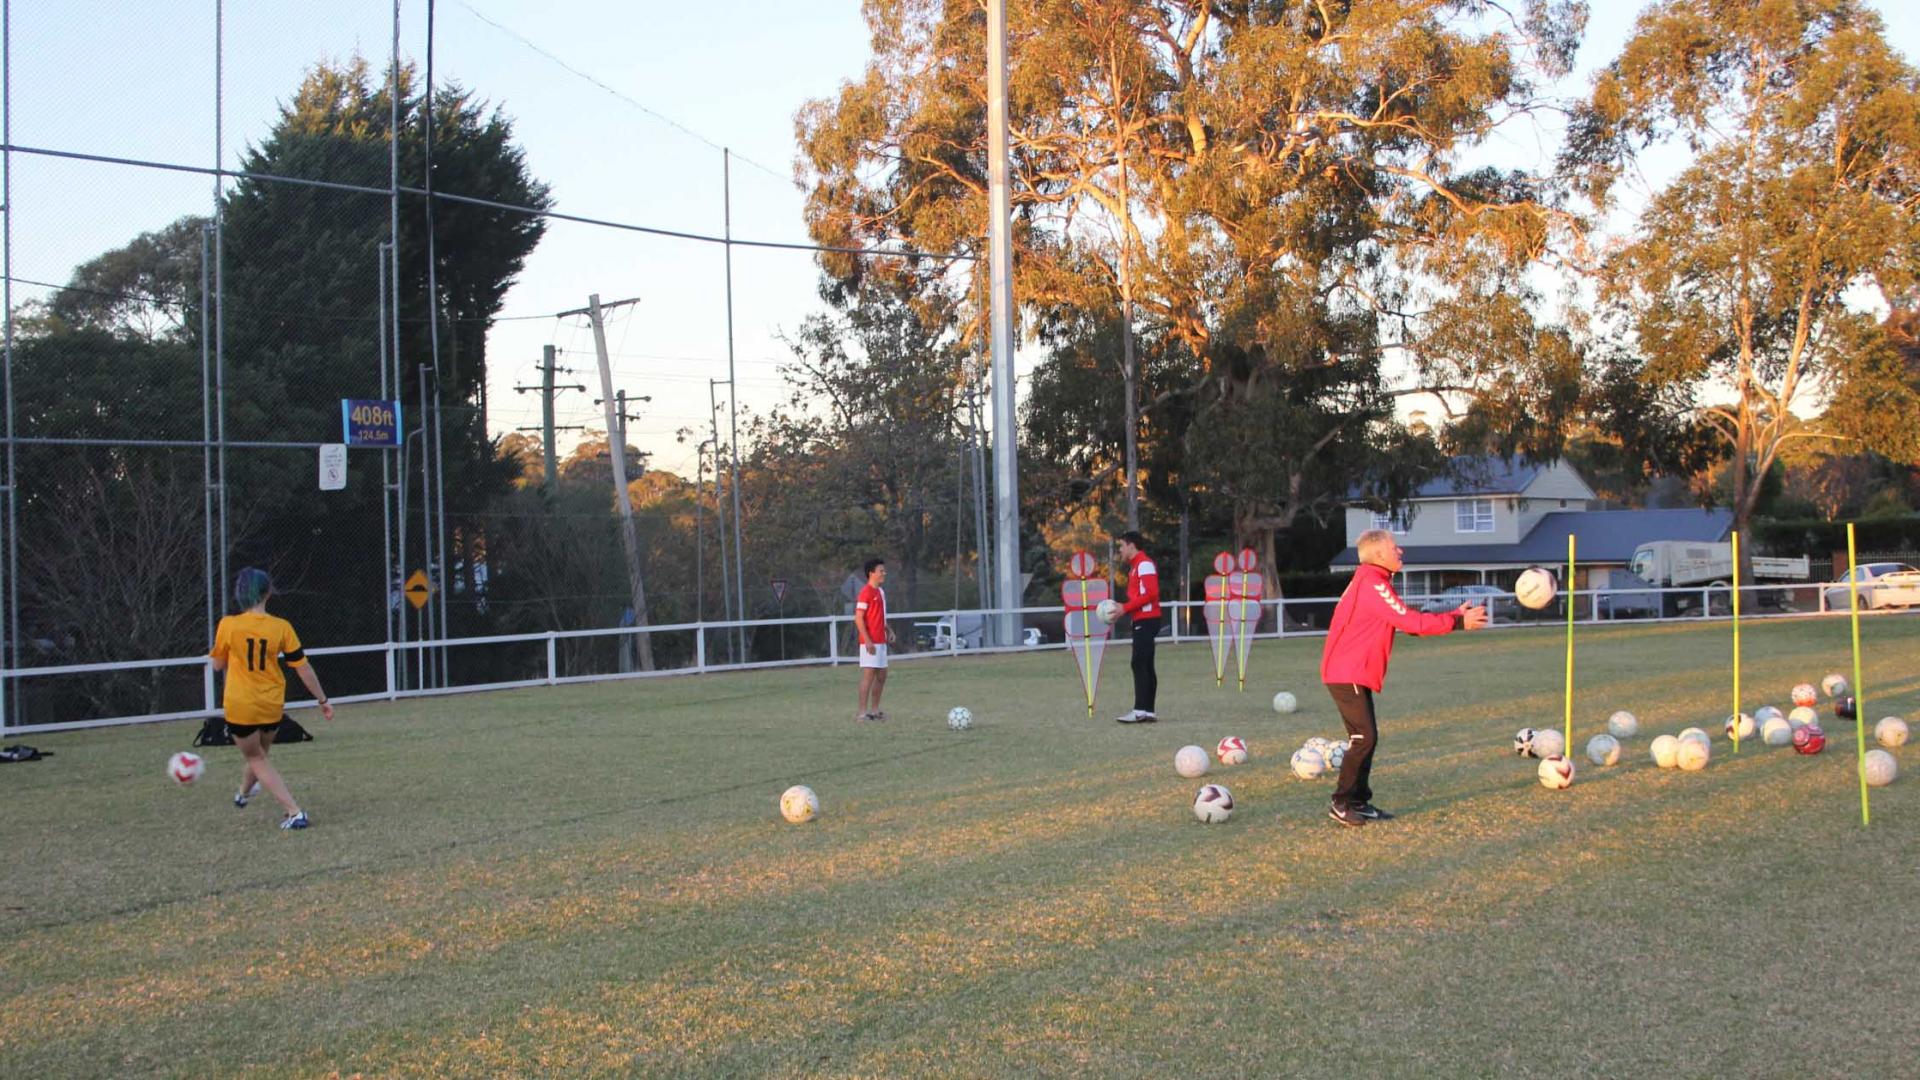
1001	312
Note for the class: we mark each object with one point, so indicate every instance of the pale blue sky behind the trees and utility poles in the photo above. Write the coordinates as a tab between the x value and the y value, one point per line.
621	107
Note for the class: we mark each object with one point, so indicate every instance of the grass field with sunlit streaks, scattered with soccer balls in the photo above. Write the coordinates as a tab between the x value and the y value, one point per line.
594	881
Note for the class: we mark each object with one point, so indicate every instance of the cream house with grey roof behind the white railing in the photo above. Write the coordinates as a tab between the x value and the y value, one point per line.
1489	520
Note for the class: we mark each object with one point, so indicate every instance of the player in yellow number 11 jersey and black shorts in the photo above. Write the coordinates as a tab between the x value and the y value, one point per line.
251	649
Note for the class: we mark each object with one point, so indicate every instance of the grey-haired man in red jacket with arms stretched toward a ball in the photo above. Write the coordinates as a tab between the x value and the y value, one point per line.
1355	664
